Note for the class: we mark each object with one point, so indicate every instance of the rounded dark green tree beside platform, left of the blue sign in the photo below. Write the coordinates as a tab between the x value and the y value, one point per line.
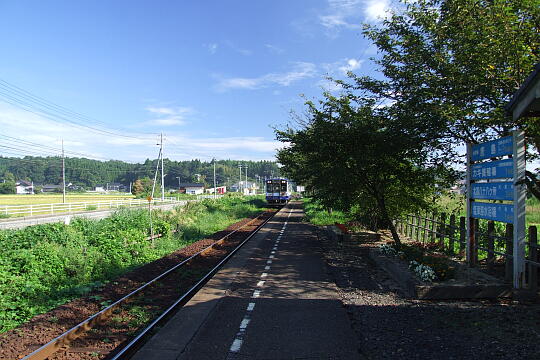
355	156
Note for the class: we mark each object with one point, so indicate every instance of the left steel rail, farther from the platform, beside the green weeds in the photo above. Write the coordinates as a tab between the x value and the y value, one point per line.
64	339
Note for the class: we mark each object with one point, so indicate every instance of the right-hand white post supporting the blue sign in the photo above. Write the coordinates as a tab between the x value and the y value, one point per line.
519	208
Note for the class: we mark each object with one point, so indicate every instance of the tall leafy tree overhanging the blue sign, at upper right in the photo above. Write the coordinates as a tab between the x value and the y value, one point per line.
451	66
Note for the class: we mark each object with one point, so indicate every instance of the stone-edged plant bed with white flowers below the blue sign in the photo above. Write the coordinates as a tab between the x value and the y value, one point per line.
426	273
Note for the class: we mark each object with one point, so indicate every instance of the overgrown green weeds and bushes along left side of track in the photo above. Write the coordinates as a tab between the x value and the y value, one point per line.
46	265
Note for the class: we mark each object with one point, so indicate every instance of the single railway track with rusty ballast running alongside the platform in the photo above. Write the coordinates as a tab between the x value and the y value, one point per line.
119	329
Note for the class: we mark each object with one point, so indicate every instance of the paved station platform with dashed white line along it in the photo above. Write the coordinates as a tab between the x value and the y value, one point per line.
272	300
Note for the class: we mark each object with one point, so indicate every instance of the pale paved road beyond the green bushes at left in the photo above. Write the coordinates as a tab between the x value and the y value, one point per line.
29	221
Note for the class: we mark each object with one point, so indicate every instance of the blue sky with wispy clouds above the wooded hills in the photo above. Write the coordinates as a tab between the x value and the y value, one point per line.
213	76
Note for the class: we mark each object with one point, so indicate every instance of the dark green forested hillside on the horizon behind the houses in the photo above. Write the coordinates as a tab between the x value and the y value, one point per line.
89	173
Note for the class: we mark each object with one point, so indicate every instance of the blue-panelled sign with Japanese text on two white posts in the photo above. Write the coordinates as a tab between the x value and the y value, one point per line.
490	178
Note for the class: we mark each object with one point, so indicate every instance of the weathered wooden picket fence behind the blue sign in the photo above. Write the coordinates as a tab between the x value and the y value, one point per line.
449	235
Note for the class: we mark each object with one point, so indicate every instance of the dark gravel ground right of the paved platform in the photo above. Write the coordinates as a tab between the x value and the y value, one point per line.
390	326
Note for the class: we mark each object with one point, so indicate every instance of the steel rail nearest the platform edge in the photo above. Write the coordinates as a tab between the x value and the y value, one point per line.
184	298
